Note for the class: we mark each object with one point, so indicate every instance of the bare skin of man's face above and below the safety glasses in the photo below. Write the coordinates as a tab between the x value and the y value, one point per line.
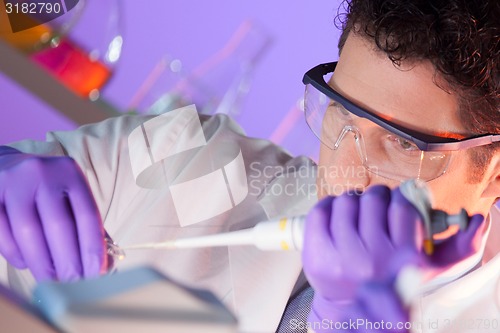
408	95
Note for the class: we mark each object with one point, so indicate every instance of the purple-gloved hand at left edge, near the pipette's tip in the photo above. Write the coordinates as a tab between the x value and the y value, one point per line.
49	222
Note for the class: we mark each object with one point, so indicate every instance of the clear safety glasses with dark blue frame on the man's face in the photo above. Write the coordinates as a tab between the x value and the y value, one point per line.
388	149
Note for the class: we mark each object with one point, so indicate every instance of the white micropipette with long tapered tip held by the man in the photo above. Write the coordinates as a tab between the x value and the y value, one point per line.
288	233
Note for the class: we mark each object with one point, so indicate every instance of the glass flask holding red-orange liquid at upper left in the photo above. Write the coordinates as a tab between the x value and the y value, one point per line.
84	59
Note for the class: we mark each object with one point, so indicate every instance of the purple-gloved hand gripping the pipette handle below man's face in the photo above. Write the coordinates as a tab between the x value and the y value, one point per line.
350	239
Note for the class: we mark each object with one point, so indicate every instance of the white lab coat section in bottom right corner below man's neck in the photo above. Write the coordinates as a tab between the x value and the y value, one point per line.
470	303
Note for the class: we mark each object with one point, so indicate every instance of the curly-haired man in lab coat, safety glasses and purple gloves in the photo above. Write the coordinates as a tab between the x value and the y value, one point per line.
414	83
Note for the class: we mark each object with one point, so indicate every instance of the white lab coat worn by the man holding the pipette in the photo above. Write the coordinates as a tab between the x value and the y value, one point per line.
254	284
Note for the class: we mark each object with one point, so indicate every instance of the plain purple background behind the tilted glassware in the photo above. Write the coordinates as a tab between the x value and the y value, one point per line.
303	32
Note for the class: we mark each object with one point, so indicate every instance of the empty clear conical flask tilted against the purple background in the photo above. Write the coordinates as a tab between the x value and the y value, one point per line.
218	85
